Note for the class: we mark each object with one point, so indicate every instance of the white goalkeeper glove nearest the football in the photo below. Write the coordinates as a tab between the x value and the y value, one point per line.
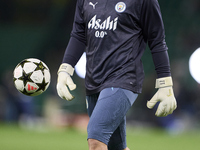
64	80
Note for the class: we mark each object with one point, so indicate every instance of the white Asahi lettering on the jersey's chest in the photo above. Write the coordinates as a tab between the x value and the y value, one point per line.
107	24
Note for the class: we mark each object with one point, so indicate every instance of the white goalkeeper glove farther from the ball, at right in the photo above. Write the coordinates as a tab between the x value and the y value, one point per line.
165	96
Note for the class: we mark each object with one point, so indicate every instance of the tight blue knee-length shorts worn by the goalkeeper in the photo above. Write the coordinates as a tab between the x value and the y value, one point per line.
107	111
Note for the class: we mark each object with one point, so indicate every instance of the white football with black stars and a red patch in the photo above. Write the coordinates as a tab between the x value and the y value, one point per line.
31	77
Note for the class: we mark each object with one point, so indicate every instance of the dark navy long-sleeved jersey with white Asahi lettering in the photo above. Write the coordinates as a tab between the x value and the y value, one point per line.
114	35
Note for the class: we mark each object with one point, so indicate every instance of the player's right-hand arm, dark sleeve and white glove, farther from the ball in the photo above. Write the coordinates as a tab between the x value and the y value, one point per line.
153	31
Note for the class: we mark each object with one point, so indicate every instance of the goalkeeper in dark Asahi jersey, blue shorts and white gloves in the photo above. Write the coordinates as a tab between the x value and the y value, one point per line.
114	36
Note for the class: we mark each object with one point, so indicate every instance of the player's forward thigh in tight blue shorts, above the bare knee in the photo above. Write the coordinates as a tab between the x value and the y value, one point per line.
109	112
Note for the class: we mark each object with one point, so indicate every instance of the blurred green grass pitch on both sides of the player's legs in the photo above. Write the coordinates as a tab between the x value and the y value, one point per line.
14	138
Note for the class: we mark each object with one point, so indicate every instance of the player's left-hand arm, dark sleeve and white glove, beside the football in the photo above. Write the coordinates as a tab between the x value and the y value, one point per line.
73	52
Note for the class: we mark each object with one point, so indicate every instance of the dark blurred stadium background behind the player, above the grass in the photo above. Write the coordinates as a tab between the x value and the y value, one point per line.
41	29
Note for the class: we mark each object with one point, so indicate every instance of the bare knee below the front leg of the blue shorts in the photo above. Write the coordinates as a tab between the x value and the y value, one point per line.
96	145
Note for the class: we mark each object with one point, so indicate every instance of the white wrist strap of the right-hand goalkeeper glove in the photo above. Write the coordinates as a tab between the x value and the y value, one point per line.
163	82
